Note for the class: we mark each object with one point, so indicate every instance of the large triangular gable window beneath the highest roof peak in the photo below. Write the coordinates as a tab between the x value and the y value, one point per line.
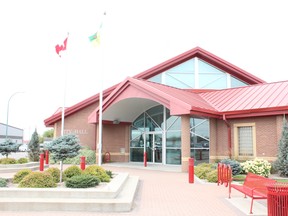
198	74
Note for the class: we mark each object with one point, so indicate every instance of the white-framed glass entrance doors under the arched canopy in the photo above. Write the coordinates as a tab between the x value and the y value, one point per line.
153	147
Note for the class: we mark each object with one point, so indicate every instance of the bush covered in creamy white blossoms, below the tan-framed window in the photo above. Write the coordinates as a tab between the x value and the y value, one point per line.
257	166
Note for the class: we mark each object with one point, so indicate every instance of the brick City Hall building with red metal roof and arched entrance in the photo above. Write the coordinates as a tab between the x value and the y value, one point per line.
193	105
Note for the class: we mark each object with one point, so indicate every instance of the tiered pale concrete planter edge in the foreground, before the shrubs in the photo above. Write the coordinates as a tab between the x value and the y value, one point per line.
115	196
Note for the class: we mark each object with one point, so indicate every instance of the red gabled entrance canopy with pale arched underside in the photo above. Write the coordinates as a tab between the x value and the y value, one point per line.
133	96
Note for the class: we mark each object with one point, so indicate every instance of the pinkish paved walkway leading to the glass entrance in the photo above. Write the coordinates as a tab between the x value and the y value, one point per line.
168	193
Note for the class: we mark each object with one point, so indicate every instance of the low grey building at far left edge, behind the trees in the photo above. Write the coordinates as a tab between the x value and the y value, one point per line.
13	133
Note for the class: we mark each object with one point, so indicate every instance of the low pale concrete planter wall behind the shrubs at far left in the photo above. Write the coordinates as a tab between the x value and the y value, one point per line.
13	168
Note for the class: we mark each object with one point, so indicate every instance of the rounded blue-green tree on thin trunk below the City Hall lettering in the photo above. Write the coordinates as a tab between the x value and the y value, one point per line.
66	146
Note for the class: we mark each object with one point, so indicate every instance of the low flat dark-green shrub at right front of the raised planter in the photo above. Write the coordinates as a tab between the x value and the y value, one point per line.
82	181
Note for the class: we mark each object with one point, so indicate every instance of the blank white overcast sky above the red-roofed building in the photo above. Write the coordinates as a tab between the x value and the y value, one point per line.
138	35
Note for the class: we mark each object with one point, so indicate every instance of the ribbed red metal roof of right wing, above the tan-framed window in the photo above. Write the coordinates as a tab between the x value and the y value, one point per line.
260	99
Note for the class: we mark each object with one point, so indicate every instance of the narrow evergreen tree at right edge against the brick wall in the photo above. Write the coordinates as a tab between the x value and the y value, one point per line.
281	163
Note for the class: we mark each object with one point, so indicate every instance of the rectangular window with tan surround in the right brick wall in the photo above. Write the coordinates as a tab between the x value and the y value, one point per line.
245	140
